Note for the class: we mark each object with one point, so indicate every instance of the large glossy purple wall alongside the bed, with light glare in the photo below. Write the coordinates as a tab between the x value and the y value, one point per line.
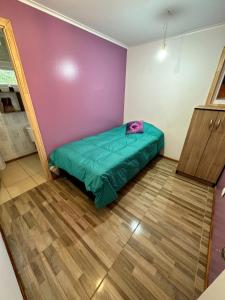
76	79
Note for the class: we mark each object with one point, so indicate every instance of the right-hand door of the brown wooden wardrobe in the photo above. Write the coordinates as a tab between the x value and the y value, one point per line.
213	158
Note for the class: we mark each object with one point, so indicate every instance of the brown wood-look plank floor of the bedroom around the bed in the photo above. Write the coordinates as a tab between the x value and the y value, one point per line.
151	244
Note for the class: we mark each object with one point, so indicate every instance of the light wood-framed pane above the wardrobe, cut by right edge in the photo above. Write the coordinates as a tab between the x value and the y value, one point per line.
217	91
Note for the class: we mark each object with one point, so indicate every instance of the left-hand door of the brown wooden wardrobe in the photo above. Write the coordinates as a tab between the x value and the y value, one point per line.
198	135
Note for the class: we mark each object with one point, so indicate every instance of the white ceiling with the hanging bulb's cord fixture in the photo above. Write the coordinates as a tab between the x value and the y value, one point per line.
134	22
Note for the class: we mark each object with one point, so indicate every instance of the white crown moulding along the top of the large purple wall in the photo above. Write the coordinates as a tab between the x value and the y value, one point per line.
64	18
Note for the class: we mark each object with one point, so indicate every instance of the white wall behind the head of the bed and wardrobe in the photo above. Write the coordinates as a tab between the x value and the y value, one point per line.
165	93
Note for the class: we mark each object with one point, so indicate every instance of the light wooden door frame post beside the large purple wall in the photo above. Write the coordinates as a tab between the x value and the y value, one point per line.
6	26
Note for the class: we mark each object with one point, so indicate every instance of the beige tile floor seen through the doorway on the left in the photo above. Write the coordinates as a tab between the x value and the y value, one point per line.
20	176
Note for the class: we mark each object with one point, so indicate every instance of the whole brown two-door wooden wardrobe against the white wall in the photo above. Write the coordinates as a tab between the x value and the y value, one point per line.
203	154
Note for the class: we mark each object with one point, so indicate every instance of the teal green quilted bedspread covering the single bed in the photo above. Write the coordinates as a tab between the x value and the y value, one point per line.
107	161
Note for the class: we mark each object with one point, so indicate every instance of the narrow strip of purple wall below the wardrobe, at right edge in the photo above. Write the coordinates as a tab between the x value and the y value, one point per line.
217	263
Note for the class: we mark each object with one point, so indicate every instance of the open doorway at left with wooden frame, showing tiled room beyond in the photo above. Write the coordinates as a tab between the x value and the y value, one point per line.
23	161
